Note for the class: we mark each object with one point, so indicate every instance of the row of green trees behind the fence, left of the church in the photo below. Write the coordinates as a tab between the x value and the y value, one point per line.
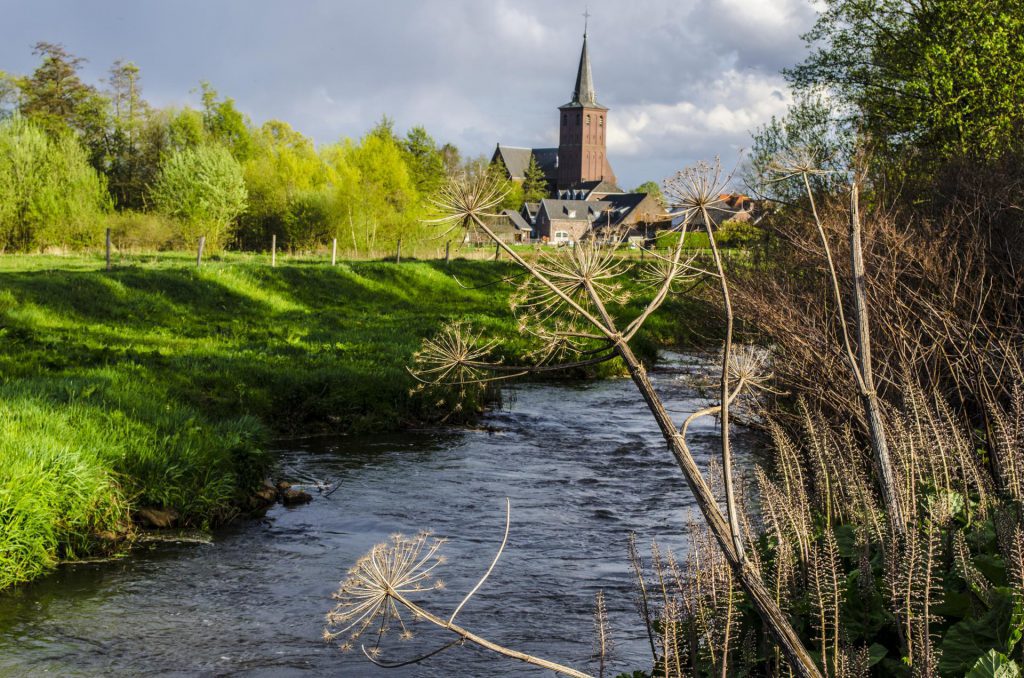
77	158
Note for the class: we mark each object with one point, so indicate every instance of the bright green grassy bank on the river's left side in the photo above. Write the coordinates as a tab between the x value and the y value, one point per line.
158	386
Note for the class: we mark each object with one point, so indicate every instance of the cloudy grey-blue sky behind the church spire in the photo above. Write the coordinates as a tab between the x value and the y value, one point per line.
686	80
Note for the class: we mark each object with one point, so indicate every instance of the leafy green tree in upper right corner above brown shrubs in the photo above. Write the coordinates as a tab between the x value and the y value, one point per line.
941	77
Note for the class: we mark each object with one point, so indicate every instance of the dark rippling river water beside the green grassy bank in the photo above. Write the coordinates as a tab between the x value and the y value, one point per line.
583	467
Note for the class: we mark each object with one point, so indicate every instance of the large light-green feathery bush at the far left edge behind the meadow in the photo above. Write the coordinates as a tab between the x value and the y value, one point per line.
50	195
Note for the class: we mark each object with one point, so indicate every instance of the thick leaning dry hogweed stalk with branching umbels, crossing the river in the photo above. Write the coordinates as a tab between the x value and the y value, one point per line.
568	300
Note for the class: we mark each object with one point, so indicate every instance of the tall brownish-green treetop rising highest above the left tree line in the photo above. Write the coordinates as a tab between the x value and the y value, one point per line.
59	102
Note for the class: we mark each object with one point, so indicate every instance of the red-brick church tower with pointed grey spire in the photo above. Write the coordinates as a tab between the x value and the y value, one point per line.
582	132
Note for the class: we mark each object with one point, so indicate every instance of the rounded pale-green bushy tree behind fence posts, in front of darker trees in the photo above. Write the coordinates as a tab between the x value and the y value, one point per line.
204	190
